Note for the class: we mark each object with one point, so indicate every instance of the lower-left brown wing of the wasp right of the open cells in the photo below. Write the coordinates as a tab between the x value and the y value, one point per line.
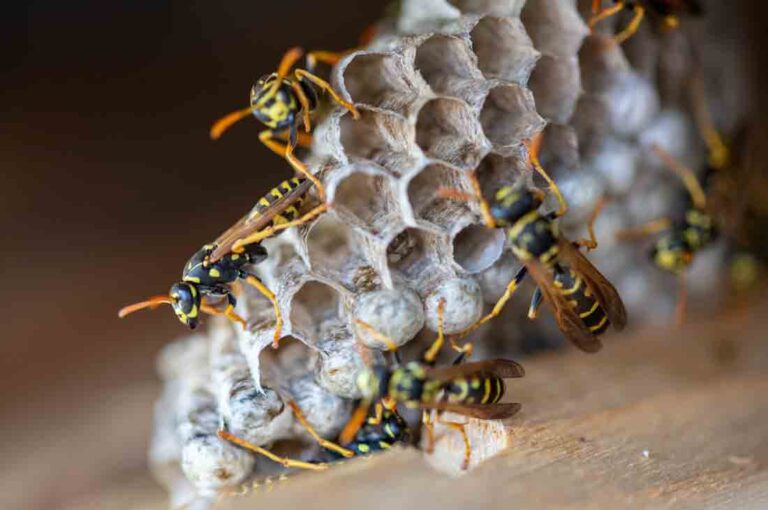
567	320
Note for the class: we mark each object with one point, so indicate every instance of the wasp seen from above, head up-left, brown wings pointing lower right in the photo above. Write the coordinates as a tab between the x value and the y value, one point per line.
584	302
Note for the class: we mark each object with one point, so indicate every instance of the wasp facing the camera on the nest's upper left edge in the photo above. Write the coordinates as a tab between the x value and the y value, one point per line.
281	101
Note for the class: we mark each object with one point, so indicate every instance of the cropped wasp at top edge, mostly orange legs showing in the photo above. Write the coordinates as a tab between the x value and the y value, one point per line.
669	11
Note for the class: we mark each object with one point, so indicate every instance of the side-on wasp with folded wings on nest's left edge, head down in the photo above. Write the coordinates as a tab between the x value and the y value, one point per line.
212	270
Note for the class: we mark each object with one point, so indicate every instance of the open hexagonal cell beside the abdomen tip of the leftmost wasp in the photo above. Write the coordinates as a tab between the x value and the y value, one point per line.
368	201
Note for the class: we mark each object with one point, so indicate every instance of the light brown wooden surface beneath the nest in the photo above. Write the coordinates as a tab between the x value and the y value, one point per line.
668	419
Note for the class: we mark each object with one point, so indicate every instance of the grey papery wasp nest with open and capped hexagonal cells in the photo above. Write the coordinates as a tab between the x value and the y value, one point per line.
447	88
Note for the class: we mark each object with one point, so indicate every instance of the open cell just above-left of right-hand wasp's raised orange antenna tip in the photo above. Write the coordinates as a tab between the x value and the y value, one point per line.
509	116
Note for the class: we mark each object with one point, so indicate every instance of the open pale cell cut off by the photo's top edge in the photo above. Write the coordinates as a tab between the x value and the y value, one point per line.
556	27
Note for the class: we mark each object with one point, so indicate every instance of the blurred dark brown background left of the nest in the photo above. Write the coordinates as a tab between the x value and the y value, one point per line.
108	184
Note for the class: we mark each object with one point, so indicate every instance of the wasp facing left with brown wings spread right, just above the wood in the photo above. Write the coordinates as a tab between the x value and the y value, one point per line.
472	389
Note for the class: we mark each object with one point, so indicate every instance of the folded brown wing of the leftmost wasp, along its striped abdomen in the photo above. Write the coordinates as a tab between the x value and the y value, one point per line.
278	200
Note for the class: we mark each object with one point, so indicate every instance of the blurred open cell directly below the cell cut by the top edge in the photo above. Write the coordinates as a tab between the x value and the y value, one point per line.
556	85
